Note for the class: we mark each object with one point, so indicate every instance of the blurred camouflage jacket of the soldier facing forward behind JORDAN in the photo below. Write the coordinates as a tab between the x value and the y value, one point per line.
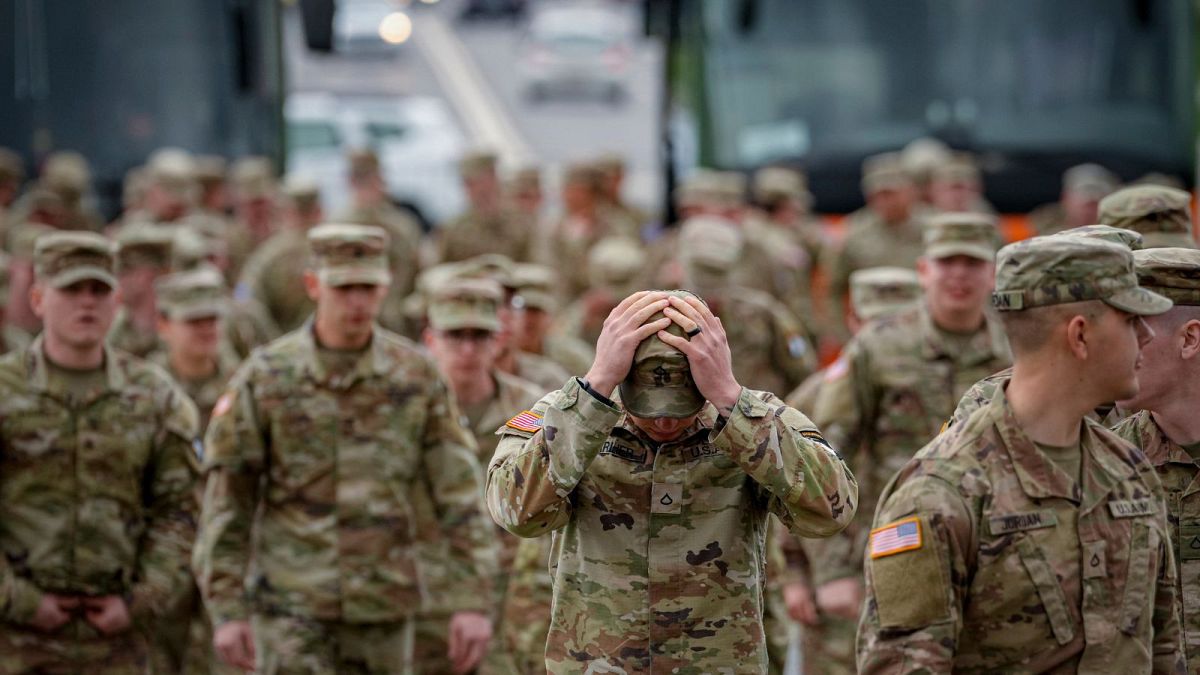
889	395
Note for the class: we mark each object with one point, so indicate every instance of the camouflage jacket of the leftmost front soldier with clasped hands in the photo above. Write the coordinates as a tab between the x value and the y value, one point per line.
95	488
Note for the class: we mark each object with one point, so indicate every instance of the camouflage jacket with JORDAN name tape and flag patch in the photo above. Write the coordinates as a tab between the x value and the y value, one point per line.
1011	566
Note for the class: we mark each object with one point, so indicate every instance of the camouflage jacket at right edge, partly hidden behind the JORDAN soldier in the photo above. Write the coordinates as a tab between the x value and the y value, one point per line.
1181	485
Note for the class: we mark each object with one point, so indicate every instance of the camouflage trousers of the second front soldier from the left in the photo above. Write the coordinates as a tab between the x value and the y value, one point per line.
293	646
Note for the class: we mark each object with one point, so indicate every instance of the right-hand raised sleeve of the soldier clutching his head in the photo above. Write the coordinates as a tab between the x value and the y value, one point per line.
807	486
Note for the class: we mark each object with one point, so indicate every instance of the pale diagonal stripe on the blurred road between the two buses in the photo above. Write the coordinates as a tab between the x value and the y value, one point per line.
478	105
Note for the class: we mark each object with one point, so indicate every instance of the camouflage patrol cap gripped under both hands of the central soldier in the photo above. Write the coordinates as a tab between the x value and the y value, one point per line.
659	383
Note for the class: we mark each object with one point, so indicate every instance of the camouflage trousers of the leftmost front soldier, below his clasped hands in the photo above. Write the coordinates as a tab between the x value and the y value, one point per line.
76	649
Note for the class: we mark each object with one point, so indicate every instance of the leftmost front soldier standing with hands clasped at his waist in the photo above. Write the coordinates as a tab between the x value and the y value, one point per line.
97	489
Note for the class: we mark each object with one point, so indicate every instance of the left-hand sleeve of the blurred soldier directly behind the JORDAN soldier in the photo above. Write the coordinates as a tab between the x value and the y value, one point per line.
839	414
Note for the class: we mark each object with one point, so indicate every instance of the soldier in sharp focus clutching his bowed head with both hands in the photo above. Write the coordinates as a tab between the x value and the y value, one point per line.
659	509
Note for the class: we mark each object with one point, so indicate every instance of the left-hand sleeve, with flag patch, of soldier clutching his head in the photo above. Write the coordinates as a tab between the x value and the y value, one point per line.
535	471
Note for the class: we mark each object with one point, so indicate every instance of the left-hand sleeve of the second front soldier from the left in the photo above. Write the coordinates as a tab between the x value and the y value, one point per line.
236	447
